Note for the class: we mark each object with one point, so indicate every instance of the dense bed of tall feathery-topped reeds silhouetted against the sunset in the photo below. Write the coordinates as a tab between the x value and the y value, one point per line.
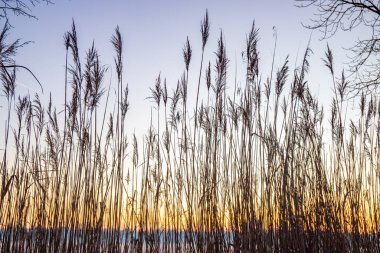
245	170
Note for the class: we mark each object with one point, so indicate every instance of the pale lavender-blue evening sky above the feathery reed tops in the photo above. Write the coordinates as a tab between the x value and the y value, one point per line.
154	34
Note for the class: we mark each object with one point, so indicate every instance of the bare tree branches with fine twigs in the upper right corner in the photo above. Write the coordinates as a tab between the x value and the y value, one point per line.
333	15
